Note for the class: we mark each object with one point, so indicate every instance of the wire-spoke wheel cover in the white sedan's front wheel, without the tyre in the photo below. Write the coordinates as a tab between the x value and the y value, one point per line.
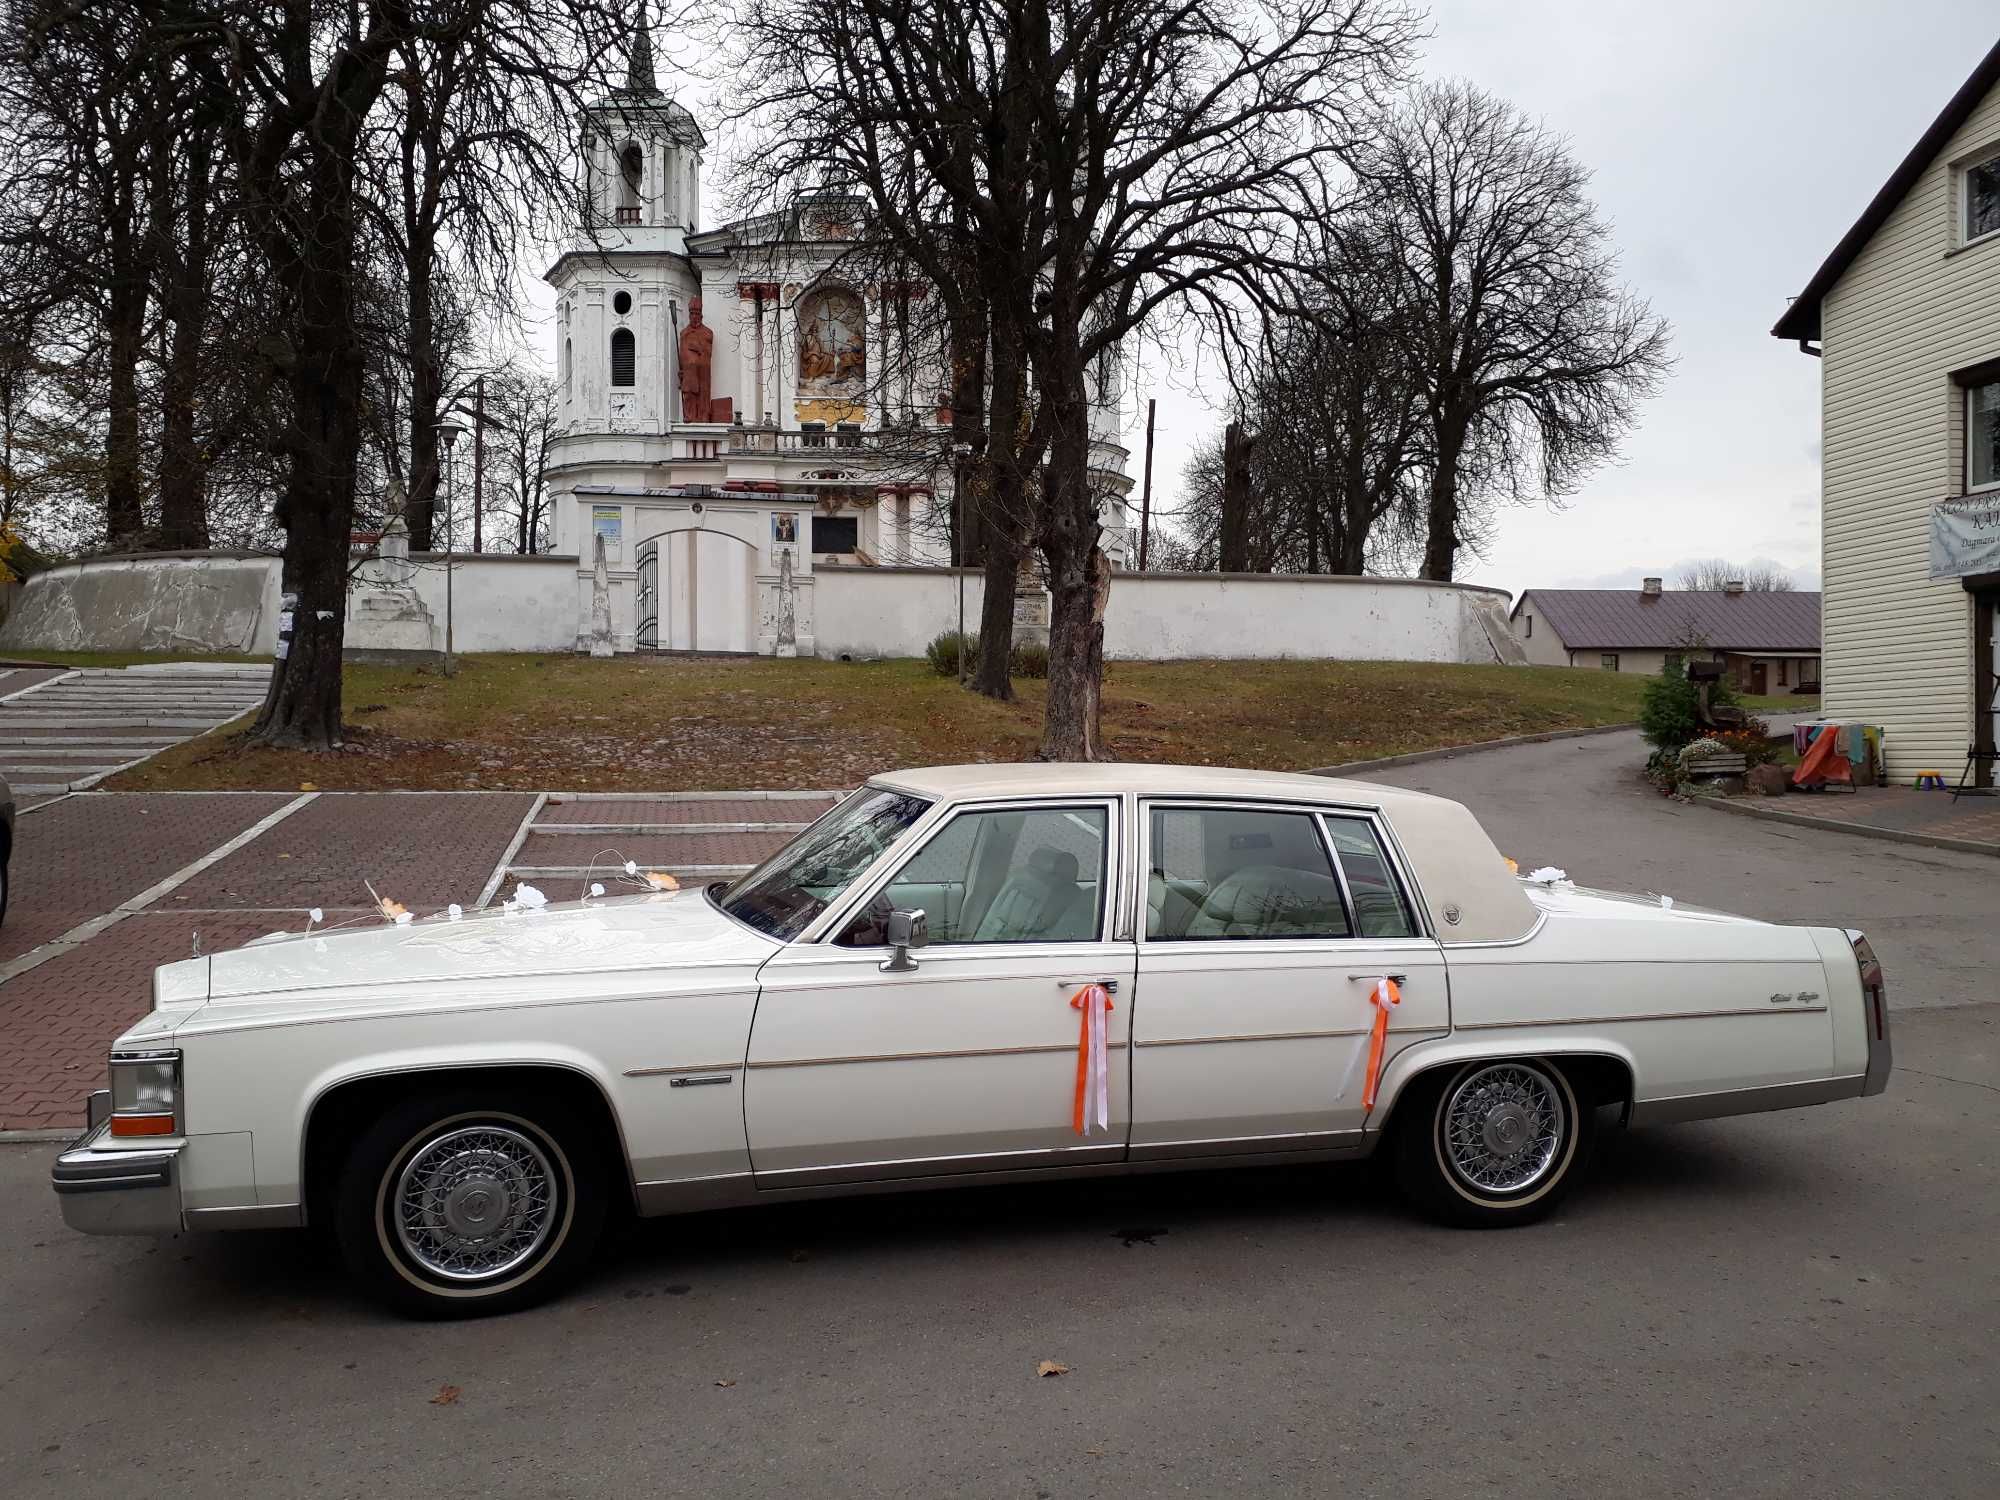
475	1203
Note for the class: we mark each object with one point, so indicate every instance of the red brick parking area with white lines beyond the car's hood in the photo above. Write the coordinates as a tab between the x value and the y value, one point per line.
87	855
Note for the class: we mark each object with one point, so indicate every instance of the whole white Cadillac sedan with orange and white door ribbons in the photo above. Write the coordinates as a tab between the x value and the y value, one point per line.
961	975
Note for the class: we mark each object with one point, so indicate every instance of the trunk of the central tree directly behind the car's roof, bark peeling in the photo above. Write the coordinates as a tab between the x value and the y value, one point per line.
1079	583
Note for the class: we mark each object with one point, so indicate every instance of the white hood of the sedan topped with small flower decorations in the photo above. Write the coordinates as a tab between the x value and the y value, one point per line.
667	931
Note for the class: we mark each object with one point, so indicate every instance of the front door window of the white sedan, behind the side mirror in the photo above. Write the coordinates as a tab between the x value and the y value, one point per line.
1033	875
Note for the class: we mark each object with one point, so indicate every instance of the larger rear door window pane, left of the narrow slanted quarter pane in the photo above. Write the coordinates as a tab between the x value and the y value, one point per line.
1241	873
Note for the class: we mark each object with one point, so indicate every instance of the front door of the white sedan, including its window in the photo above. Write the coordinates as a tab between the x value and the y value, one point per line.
969	1061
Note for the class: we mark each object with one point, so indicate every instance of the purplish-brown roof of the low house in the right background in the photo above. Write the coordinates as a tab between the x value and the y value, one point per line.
1625	619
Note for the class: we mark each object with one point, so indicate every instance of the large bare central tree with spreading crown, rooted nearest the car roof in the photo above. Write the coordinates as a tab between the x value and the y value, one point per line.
1107	171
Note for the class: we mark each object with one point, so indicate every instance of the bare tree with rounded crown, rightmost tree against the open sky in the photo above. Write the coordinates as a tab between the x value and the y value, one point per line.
1533	357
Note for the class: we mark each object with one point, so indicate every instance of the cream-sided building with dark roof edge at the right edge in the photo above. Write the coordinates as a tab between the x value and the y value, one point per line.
1907	321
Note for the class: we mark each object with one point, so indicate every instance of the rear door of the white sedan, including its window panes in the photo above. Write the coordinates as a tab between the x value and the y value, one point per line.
1263	935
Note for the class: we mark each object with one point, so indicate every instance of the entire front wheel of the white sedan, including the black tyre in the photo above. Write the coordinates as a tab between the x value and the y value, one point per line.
455	1209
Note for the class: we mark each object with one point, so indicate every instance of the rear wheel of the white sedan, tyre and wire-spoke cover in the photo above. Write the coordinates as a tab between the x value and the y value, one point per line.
1493	1145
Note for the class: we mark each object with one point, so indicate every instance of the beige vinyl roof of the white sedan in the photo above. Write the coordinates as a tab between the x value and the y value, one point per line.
1455	861
